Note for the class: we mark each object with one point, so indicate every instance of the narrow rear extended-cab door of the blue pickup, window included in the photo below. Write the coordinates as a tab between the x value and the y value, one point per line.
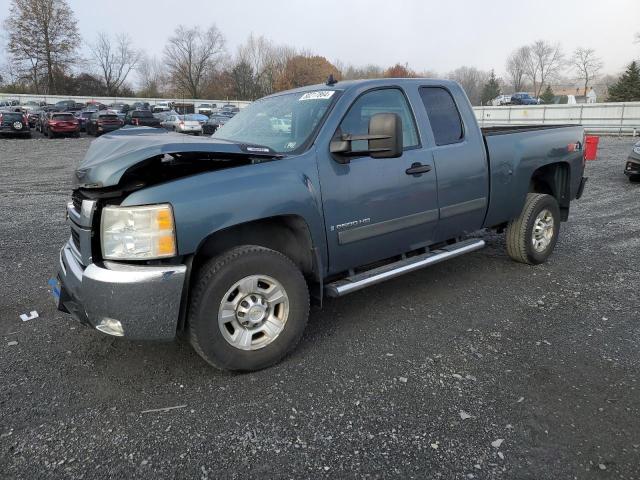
460	163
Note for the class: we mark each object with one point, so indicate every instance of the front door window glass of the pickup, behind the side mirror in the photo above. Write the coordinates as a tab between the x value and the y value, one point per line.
388	100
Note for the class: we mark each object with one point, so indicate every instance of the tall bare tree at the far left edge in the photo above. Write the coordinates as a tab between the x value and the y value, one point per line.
43	38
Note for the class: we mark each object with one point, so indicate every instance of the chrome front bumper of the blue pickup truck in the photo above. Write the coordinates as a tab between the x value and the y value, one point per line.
135	301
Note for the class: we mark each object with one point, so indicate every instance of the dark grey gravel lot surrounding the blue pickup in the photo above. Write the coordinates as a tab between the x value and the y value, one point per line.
475	368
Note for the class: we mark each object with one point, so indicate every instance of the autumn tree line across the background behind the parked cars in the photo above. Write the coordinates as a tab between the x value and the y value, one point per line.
44	58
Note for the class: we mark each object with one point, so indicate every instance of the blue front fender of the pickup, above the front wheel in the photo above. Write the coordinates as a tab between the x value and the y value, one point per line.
212	201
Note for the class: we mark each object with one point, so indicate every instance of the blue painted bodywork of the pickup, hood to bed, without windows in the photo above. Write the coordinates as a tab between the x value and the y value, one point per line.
358	212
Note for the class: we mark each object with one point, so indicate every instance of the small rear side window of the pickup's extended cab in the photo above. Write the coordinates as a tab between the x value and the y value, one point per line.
443	115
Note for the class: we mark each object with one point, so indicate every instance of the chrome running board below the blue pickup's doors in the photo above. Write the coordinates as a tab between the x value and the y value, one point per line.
386	272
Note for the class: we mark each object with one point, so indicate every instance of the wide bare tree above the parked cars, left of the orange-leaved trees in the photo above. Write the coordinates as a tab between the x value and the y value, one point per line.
191	55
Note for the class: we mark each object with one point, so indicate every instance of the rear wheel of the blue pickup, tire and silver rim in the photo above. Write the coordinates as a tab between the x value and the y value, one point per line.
532	236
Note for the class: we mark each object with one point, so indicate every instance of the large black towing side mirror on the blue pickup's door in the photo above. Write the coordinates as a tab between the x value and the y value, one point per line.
384	139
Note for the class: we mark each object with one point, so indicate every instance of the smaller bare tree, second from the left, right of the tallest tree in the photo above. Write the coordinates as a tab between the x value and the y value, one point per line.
114	60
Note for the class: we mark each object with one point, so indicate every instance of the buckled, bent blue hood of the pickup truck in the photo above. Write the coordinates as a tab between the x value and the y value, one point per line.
109	156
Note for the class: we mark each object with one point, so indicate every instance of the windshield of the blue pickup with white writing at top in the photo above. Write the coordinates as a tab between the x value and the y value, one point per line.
282	123
